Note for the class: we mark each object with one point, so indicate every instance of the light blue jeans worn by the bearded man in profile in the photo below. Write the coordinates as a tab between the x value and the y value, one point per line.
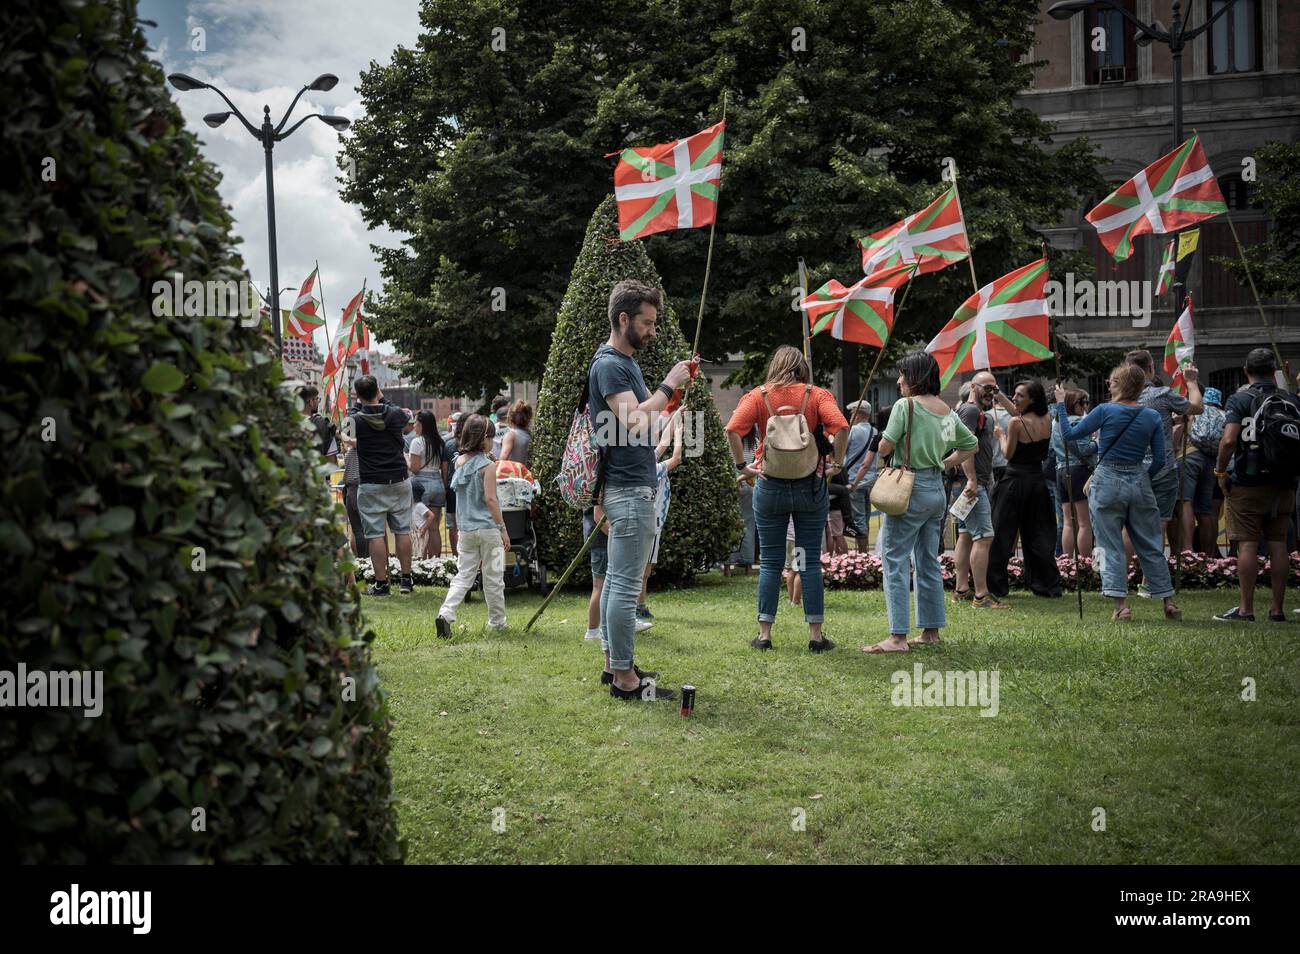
631	515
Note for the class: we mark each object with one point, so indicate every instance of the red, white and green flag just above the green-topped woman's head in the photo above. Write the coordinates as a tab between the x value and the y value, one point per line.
1004	323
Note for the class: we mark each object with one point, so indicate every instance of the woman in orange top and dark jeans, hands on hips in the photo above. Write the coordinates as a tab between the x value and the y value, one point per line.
778	500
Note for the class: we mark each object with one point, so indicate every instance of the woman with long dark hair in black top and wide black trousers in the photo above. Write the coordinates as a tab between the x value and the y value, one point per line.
1022	504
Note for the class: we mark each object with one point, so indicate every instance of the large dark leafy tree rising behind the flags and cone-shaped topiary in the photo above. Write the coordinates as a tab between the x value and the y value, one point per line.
839	119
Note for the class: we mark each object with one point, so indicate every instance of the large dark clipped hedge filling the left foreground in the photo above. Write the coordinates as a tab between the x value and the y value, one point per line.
163	518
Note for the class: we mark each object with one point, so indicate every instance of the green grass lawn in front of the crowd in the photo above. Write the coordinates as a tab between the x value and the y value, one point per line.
1143	721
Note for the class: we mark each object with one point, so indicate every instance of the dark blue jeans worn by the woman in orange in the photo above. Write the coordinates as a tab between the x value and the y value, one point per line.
775	502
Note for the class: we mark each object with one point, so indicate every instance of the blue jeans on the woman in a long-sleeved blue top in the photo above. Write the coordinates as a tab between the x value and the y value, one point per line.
1121	497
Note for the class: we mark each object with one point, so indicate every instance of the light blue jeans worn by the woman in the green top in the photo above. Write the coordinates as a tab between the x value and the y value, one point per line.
916	536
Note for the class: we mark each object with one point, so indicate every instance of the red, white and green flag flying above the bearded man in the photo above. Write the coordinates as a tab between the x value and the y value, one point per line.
670	187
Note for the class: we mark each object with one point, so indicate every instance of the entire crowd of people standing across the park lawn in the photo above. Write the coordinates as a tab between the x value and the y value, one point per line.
1033	474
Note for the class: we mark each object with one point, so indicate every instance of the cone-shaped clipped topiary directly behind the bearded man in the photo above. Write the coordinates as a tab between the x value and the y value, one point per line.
704	518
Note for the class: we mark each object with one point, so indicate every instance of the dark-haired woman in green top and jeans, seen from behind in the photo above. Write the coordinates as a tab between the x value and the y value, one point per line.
939	441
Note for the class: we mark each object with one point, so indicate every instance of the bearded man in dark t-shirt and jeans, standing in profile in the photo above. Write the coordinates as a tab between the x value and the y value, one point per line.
623	415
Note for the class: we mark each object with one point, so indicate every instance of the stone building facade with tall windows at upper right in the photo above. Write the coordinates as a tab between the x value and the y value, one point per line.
1241	90
